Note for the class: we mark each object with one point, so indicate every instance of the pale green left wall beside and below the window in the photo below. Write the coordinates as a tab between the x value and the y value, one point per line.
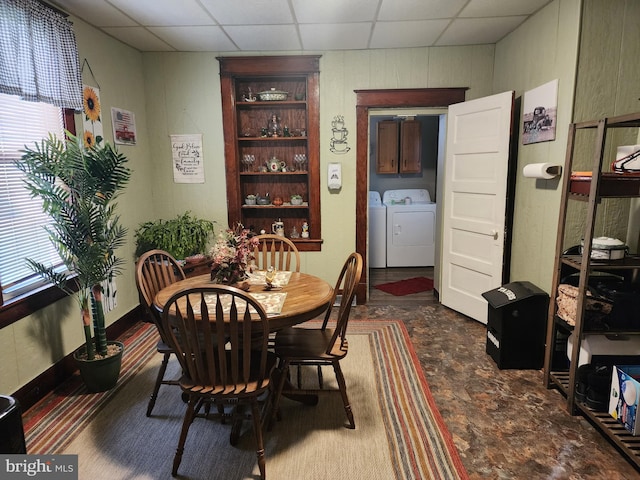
31	345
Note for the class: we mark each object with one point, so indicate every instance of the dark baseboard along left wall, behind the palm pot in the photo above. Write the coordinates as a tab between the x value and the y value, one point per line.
47	381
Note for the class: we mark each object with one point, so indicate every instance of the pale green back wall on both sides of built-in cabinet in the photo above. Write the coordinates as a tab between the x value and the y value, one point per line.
183	95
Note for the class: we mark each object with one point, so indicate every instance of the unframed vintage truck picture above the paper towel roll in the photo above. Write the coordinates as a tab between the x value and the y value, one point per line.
540	113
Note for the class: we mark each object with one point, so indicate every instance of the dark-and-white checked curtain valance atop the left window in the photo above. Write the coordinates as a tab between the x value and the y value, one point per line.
38	55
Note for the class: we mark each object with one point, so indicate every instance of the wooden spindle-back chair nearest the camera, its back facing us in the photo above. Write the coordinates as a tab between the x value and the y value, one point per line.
229	368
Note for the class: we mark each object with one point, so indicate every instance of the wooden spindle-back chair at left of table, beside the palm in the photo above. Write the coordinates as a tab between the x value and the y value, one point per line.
155	270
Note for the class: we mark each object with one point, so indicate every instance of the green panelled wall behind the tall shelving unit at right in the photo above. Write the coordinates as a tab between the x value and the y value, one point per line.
607	83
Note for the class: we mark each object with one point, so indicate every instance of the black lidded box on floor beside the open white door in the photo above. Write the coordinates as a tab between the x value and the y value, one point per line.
517	324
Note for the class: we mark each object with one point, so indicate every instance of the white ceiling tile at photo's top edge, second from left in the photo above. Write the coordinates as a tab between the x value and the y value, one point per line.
168	13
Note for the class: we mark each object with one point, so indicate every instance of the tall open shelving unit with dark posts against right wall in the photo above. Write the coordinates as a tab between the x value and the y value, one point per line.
589	187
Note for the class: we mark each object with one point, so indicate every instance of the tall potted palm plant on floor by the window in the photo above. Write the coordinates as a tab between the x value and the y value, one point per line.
78	187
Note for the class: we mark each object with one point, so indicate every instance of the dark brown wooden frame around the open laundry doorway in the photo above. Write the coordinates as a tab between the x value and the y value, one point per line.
394	98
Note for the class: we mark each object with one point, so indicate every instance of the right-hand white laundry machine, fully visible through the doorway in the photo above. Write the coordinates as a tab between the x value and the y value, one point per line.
411	228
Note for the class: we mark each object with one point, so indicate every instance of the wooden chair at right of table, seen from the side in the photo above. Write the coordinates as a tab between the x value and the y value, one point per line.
324	346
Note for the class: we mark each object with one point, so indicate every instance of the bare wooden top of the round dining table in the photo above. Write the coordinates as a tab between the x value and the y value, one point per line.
307	297
